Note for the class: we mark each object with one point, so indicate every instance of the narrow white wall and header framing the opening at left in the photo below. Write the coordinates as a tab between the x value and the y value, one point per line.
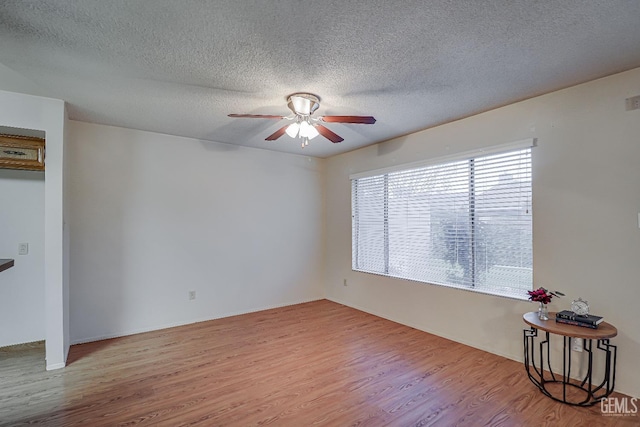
48	115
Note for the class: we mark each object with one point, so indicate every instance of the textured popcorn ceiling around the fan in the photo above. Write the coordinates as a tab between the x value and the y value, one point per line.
179	67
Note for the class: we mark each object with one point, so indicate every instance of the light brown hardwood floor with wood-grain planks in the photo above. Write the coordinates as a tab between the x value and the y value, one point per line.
318	363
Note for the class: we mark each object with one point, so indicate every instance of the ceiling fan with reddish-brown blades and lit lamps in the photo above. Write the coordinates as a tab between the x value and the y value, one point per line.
304	124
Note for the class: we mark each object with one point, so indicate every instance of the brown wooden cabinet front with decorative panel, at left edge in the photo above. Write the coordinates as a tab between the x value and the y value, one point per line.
21	152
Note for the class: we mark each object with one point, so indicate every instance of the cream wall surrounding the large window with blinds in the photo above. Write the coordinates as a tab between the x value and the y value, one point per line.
586	199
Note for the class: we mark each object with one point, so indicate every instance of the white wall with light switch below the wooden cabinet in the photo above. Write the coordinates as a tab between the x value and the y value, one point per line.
22	291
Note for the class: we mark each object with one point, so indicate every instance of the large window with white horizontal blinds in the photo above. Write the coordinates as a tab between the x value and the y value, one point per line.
464	223
